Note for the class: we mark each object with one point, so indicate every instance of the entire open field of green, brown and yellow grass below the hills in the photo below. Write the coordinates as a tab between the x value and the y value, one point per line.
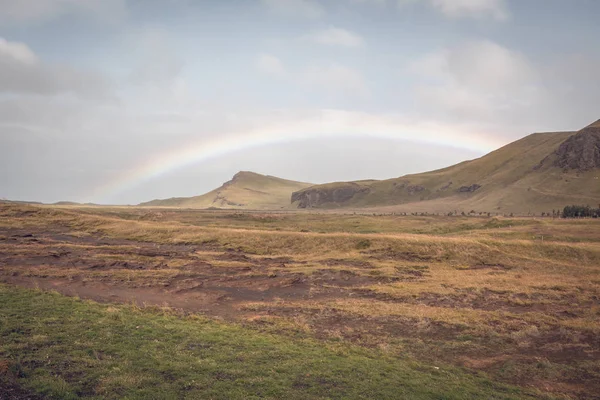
299	305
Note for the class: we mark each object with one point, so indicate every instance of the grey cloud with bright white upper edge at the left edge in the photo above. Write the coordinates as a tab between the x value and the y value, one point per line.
22	72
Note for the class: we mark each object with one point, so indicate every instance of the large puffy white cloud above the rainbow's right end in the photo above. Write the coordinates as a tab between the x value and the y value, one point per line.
478	80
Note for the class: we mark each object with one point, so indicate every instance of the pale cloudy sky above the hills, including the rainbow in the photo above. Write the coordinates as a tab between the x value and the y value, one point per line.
124	101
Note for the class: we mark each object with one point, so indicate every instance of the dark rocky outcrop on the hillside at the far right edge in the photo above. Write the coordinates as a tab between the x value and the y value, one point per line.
581	151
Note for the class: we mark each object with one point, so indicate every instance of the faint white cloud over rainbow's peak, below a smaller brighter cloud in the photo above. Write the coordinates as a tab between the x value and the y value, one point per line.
337	78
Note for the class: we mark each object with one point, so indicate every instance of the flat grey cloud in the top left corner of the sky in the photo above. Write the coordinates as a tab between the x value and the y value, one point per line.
15	12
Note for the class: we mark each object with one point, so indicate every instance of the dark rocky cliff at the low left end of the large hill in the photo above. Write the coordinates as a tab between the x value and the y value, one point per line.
318	196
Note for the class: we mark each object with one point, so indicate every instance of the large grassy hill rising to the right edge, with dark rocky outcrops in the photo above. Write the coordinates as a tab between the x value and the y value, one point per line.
538	173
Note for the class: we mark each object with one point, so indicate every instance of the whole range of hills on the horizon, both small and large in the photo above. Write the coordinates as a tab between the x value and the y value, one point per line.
537	174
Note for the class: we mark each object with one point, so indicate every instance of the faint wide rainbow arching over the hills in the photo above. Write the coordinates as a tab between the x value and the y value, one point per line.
335	124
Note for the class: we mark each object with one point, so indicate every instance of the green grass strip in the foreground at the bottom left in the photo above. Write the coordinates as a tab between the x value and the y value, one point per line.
66	348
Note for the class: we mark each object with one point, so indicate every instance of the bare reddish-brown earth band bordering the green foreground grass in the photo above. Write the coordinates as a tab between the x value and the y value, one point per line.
234	285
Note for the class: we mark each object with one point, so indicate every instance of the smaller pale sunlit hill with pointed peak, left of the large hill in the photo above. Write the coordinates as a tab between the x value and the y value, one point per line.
246	190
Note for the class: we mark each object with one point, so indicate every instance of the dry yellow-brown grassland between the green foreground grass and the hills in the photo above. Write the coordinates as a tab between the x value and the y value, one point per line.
484	292
